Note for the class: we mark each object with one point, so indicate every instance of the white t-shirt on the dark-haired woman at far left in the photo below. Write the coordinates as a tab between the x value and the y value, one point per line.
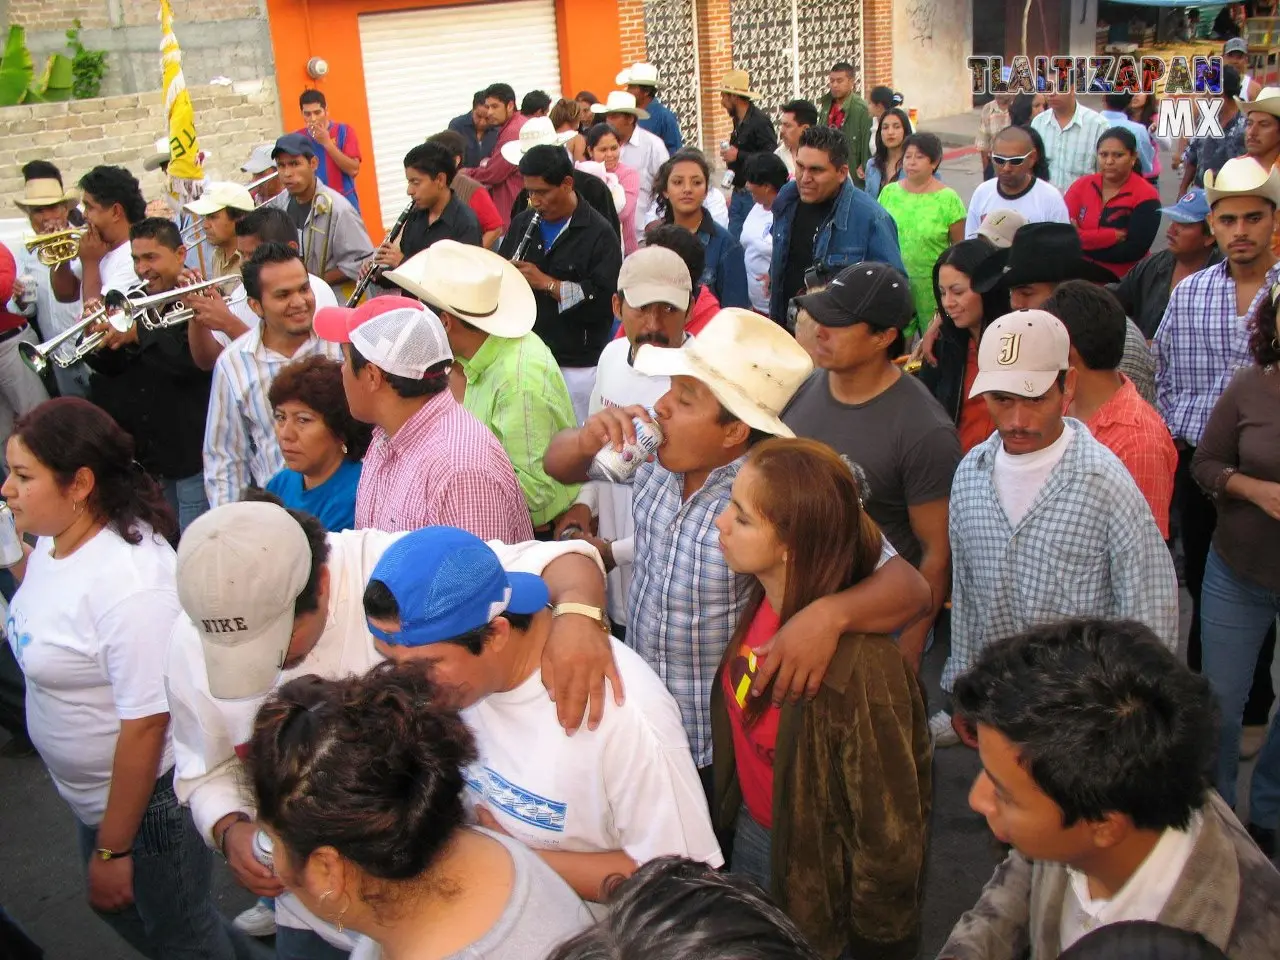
90	633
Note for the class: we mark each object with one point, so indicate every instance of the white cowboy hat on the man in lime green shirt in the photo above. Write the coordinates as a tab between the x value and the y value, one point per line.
472	284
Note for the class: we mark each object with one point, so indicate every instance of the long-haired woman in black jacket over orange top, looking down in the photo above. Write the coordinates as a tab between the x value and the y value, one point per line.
964	314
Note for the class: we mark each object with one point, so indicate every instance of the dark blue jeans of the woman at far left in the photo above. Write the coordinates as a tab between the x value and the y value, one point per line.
173	915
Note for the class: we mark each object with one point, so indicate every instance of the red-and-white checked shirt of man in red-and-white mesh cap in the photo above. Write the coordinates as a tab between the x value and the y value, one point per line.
442	468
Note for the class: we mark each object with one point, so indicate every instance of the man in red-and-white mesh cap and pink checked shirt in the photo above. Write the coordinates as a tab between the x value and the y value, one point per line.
431	461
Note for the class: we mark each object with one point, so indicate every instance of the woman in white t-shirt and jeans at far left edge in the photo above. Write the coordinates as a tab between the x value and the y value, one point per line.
90	625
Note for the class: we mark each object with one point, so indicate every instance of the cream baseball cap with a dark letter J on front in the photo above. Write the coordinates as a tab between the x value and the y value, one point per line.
1022	354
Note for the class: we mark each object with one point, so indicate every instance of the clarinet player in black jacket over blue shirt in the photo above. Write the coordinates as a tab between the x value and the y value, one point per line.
572	260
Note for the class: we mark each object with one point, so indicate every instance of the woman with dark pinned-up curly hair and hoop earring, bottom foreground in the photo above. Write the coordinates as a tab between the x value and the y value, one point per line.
360	793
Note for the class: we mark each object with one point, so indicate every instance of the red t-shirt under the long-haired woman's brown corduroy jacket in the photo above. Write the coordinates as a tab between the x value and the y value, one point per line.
755	744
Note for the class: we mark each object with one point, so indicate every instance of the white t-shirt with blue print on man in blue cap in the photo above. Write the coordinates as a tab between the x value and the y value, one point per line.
629	785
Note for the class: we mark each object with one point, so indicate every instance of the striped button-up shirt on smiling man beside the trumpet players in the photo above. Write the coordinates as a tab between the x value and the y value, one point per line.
240	431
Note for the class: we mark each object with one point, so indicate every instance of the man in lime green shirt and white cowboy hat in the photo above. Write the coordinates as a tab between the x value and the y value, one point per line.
510	380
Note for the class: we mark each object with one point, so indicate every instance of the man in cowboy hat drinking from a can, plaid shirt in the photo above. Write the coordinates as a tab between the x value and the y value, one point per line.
729	387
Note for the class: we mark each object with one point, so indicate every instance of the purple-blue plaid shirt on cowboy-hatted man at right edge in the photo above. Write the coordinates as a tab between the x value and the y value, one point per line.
1200	345
